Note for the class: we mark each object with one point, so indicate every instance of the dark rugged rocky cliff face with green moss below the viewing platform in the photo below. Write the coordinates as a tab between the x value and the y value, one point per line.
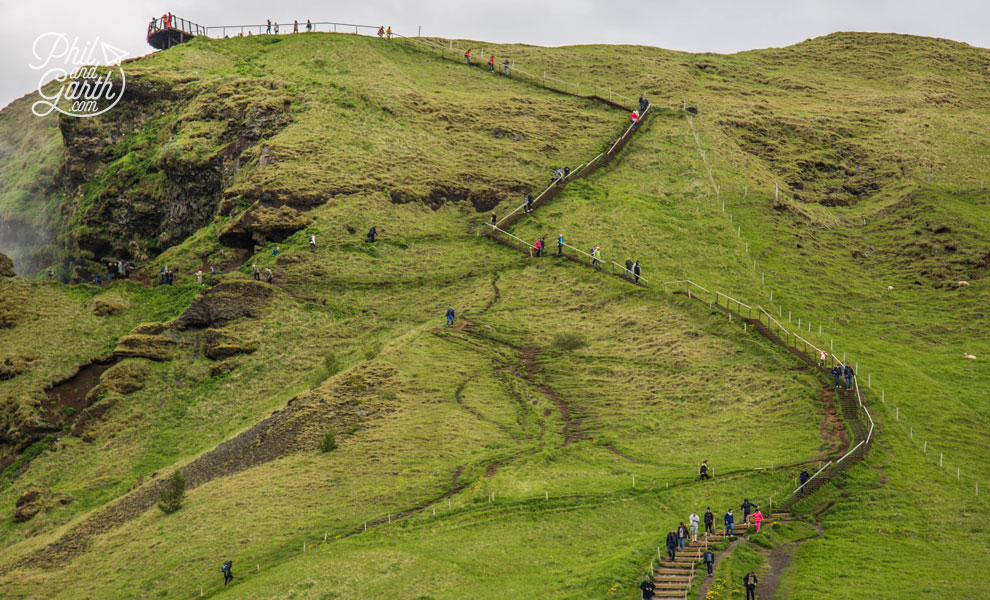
134	189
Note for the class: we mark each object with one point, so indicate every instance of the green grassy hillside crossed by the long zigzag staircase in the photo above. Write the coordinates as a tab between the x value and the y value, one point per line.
497	458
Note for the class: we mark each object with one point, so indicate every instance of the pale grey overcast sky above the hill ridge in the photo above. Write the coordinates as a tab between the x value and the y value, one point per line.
692	25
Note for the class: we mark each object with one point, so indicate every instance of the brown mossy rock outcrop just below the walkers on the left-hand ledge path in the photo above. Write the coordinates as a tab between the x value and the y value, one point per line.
225	302
